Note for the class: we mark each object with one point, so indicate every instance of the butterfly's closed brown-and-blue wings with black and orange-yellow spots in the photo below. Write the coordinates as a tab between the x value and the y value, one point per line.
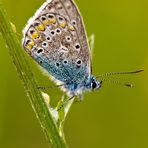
55	37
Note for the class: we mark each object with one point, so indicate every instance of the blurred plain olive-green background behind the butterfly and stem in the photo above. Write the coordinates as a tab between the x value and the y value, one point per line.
114	116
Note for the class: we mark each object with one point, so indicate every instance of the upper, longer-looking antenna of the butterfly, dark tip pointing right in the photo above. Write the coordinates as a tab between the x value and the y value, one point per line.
120	73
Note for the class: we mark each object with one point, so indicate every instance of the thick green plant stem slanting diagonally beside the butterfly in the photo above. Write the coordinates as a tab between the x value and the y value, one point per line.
46	120
